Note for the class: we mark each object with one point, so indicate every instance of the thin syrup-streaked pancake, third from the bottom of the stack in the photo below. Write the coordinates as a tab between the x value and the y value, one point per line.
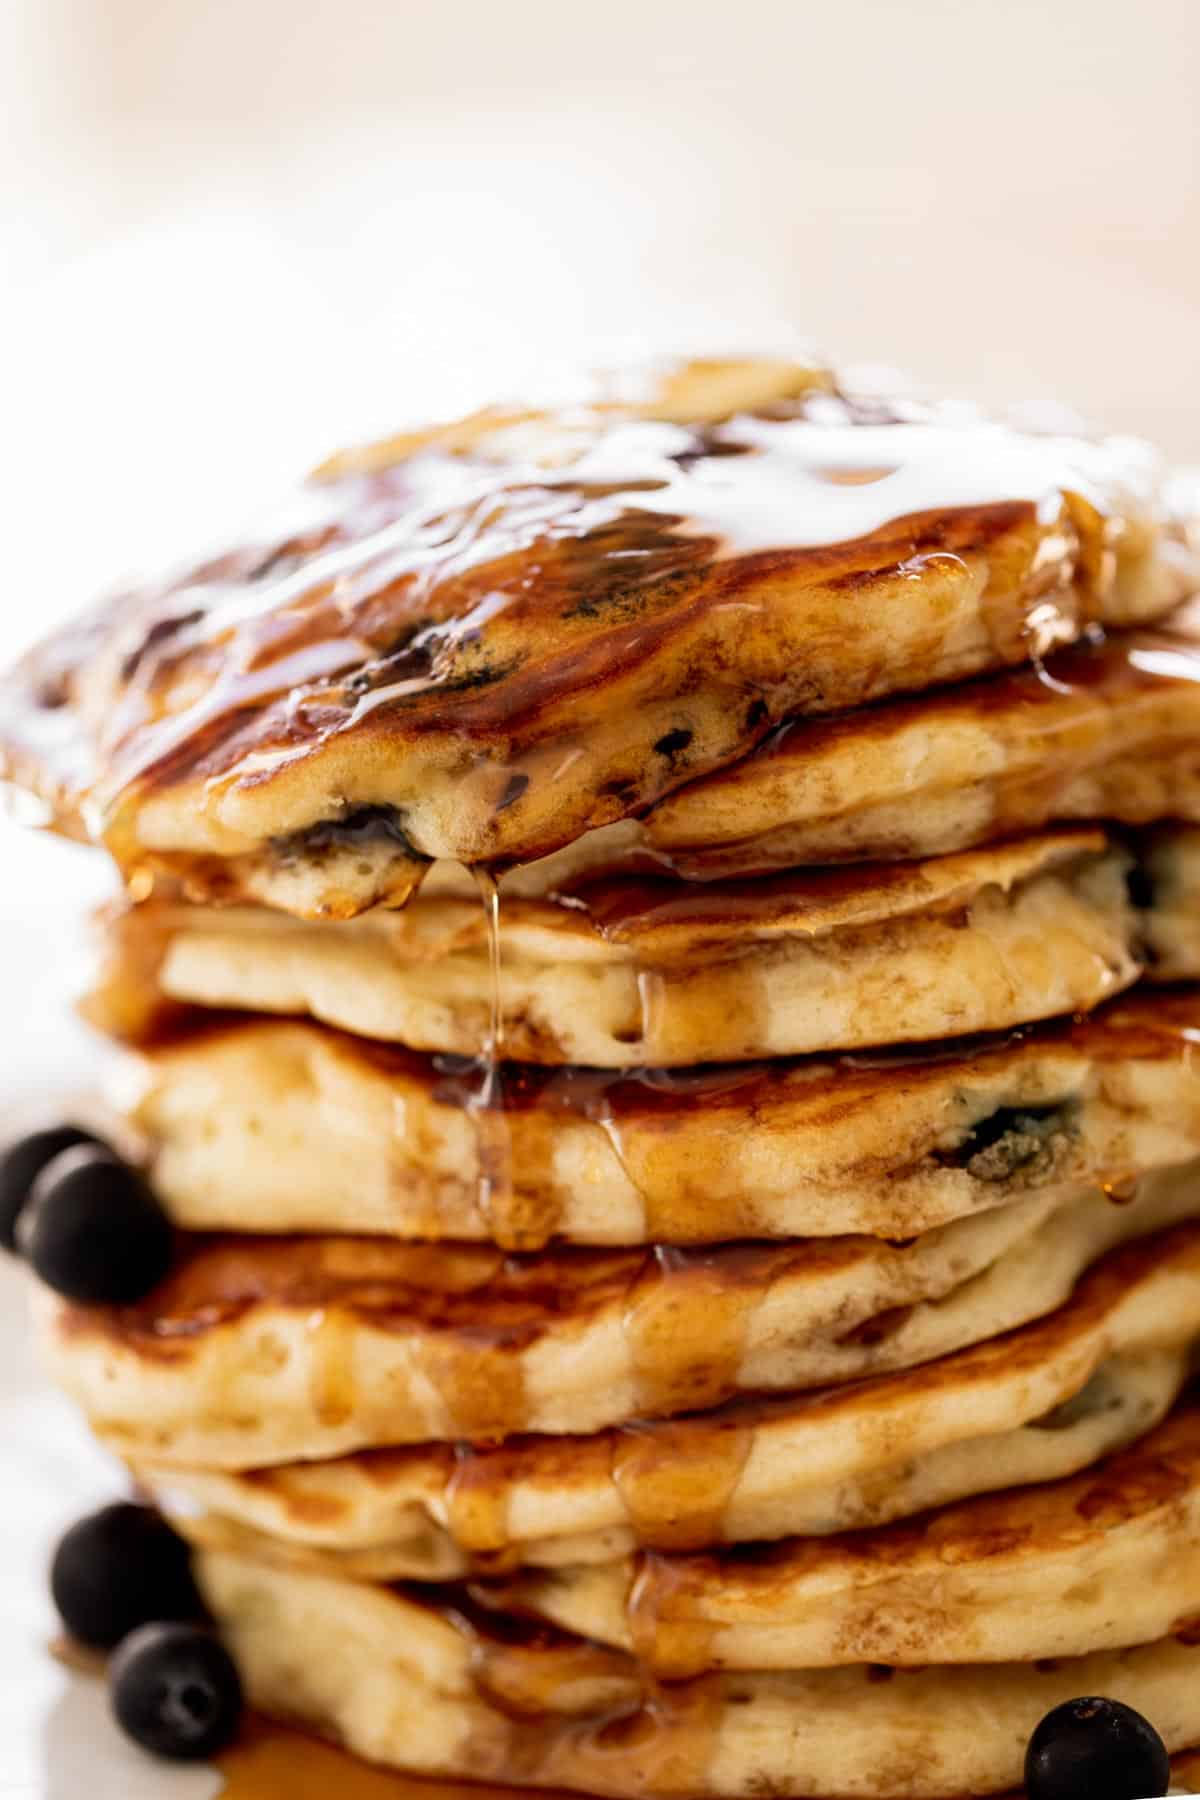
440	1513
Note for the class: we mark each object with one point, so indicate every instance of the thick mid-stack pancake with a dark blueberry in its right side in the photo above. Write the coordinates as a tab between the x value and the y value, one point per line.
282	1126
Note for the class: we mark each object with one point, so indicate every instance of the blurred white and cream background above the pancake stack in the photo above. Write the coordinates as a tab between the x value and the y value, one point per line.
237	231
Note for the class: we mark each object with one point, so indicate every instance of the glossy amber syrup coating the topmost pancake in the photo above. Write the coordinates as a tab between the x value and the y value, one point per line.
422	586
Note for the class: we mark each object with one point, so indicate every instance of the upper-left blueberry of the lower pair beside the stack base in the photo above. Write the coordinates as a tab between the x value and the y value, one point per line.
120	1569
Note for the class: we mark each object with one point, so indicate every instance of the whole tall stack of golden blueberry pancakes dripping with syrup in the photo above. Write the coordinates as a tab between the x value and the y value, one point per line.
654	987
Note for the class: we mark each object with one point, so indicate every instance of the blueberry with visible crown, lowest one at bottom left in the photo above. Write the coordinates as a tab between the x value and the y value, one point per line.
175	1691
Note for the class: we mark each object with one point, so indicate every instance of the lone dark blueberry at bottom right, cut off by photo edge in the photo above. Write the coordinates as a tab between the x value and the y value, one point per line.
1097	1749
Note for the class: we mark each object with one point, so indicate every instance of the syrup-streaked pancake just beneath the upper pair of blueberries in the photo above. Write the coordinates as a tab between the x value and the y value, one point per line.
346	1344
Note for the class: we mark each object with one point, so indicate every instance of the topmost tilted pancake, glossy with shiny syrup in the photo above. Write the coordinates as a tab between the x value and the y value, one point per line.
487	642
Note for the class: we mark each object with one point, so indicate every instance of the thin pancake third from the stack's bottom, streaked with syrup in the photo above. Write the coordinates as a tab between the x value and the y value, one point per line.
436	1516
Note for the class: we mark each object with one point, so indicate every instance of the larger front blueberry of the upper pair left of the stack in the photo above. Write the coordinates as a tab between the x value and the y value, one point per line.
93	1228
